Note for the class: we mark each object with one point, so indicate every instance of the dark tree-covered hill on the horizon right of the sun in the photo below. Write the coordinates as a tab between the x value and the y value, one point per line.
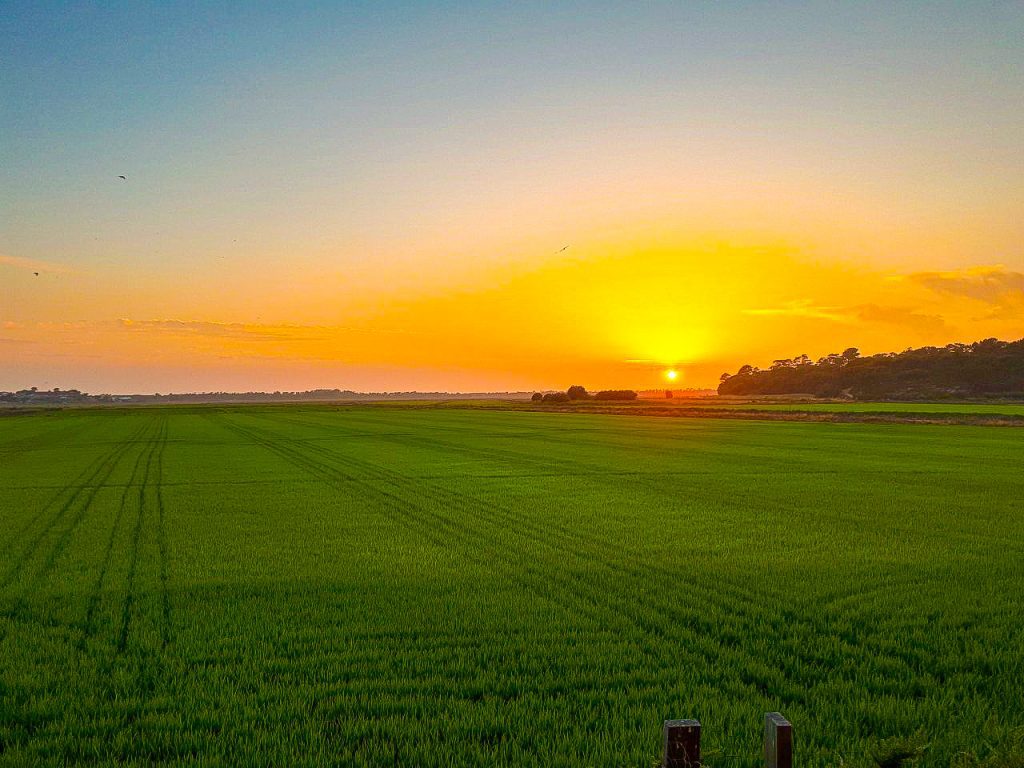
985	369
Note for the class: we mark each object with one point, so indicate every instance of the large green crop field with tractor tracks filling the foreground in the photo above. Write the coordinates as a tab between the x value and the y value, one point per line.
392	586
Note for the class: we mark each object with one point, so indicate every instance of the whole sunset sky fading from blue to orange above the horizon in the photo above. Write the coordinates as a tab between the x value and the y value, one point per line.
477	197
